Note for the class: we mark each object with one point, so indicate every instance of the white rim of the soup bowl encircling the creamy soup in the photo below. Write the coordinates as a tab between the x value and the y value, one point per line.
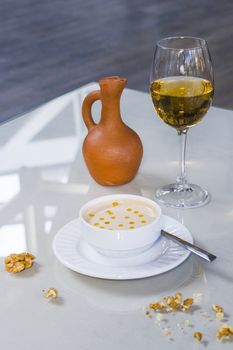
134	196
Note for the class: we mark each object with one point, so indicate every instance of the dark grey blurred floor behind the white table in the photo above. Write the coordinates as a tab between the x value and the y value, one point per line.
49	47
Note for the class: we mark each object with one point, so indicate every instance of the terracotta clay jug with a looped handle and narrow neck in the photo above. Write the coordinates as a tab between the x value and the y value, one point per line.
112	151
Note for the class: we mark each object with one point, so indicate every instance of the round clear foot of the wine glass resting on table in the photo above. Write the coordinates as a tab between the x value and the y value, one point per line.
178	196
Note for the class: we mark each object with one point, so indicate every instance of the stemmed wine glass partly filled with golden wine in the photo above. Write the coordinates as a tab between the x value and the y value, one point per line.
182	91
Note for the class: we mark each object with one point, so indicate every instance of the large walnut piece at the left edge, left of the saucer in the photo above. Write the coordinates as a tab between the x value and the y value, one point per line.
18	262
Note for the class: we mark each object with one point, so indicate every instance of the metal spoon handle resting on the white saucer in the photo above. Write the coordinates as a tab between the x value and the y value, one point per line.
191	247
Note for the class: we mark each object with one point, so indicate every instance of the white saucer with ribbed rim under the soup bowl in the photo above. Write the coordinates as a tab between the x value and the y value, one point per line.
72	251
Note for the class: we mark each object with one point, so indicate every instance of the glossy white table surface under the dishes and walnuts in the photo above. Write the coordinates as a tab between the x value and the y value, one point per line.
43	183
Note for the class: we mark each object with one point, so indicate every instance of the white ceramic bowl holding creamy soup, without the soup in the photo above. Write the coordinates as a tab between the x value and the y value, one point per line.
121	242
